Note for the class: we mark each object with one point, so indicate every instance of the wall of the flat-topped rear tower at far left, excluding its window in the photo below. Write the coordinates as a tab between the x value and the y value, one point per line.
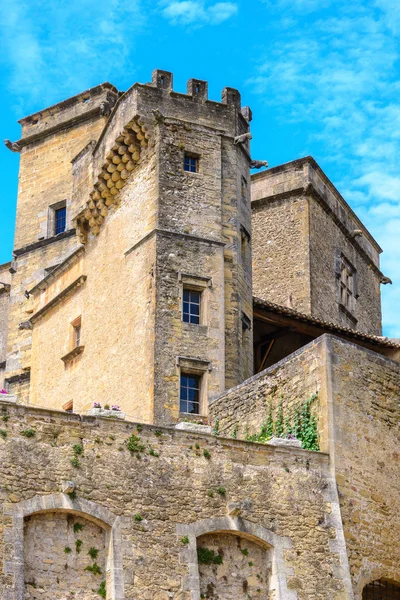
45	178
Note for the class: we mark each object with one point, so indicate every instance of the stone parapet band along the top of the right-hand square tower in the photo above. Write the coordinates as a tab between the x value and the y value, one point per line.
305	176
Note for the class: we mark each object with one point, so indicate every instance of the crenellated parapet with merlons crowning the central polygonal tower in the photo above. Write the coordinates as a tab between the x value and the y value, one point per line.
143	107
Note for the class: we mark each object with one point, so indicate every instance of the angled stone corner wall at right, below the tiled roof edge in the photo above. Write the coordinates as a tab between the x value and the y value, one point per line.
357	409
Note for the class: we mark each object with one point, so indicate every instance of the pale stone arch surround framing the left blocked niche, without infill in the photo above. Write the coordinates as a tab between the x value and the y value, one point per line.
61	503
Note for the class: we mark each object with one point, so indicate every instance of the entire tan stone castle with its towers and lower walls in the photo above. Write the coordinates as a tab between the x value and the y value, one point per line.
163	312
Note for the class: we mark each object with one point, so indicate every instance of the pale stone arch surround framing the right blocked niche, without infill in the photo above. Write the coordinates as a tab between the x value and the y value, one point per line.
240	528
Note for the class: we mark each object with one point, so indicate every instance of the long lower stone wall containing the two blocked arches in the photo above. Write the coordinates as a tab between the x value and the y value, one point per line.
158	501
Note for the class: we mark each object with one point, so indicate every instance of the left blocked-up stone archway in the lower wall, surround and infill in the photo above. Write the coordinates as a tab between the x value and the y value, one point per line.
44	525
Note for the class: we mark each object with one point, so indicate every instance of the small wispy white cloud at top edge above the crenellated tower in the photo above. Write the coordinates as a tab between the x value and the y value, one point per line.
189	12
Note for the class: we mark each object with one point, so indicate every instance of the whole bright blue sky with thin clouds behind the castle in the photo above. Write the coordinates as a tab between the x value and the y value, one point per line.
321	76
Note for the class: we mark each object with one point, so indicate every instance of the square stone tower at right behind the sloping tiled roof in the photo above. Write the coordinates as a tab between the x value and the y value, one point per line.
302	229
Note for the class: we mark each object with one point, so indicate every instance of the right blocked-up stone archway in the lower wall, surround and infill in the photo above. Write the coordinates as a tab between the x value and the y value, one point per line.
239	542
